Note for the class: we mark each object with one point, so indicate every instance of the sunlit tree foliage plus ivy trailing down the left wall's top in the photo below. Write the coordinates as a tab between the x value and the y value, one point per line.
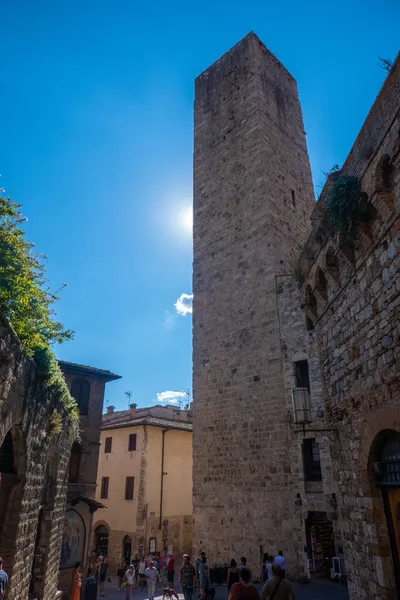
26	301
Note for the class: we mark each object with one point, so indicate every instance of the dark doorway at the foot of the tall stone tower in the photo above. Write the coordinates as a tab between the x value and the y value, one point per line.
320	544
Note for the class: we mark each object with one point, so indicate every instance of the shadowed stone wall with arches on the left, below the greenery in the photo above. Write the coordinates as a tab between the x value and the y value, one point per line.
34	473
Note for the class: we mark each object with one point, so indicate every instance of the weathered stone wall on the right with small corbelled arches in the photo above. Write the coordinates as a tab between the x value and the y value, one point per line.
355	306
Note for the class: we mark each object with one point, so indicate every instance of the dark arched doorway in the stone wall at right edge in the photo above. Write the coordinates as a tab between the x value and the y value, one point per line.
387	472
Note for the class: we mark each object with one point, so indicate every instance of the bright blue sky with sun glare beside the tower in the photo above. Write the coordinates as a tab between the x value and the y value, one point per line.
96	143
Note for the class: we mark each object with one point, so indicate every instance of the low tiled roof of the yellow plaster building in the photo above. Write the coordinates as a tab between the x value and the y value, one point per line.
170	417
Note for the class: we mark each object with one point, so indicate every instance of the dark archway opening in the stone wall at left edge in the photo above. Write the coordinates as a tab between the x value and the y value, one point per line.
12	484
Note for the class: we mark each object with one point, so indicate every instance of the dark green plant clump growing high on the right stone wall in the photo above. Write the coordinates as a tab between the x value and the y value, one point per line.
344	209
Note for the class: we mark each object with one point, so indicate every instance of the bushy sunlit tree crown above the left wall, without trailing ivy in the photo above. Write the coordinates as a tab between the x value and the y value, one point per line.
25	297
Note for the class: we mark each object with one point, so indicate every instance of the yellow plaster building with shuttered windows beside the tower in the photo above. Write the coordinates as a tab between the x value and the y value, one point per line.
145	482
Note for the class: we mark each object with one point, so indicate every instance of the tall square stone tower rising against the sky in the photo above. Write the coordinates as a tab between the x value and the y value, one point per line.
253	197
